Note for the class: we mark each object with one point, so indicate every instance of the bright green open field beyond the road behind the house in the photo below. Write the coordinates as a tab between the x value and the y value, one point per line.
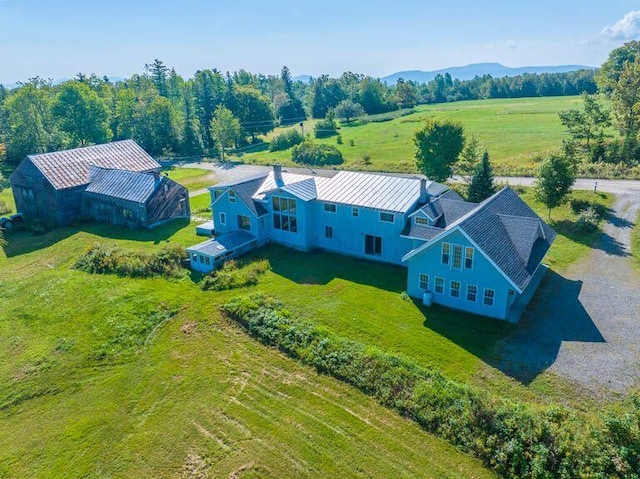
516	132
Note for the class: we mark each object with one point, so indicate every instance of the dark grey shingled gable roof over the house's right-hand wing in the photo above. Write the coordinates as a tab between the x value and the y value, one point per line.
507	231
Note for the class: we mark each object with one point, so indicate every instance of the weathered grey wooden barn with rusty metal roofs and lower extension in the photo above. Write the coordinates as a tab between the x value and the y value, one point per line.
116	183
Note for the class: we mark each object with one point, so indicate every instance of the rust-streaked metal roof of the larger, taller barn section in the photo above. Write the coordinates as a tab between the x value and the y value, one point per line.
70	168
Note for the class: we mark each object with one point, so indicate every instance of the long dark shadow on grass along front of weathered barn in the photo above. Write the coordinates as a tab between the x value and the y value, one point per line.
24	241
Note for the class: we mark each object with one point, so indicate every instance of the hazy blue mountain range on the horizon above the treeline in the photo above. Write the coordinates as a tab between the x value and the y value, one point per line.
467	72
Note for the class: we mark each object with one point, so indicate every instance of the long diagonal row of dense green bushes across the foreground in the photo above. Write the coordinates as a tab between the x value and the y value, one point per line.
512	438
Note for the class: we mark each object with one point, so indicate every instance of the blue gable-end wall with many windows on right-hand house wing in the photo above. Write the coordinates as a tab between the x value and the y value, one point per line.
483	275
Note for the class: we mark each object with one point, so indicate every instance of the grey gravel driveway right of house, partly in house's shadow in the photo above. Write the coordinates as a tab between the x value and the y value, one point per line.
584	325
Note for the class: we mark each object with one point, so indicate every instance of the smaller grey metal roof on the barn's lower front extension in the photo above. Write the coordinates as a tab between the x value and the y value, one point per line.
121	184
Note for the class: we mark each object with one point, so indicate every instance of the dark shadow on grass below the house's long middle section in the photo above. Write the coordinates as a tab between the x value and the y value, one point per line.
319	267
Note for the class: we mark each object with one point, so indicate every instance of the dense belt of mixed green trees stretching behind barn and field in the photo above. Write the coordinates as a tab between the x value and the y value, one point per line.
173	116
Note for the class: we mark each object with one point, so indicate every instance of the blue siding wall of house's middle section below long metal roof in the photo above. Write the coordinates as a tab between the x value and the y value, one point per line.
349	232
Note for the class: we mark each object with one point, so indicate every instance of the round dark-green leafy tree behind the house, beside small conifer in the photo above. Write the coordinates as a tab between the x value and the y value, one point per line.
438	146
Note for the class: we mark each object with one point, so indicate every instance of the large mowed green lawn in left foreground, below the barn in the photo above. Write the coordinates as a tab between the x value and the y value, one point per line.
86	391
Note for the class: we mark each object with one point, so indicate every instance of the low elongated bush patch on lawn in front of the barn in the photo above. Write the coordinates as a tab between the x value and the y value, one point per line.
111	259
